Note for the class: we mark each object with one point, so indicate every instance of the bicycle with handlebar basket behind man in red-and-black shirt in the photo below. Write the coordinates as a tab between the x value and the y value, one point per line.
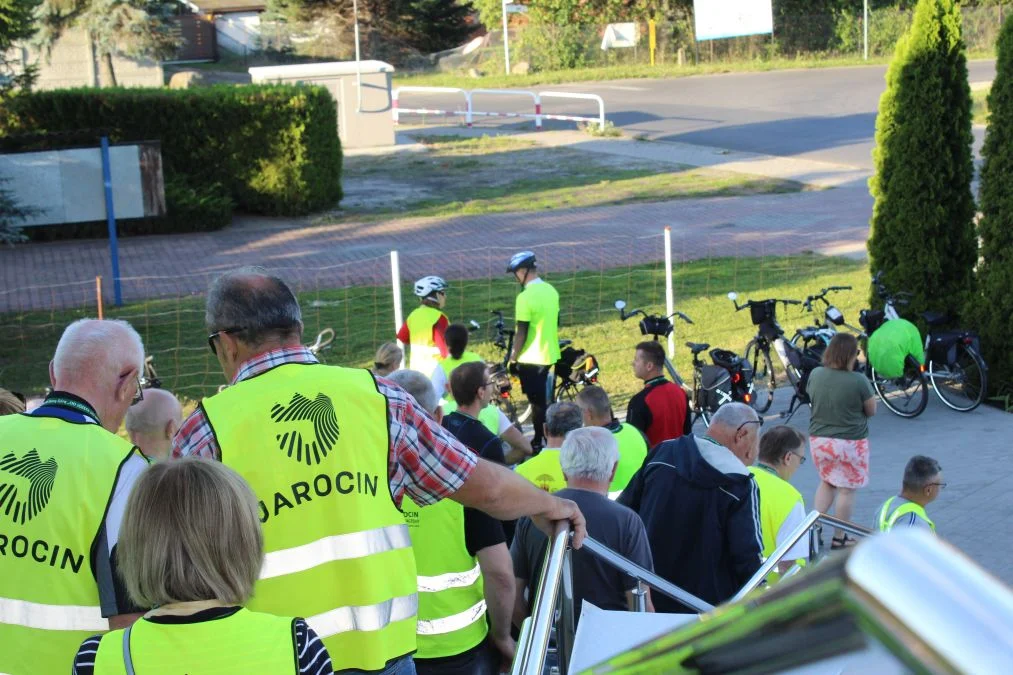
724	382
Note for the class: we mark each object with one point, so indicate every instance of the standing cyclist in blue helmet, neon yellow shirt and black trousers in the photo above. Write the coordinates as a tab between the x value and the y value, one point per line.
536	345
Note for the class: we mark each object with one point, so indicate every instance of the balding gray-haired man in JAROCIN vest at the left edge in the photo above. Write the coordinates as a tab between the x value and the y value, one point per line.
68	477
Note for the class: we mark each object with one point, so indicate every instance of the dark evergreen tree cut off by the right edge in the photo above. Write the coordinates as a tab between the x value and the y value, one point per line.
991	312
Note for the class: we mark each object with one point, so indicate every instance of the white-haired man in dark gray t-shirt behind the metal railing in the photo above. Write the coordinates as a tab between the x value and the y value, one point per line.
588	459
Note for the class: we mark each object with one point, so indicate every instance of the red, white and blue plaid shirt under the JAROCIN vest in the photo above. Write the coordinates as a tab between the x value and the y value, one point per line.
425	462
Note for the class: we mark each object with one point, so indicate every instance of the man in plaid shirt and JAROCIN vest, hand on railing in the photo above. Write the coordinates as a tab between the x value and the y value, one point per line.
331	454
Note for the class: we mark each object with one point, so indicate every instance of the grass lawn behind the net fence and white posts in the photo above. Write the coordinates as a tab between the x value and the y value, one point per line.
363	318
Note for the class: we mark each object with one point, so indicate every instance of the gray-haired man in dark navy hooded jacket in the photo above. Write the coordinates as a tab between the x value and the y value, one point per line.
702	508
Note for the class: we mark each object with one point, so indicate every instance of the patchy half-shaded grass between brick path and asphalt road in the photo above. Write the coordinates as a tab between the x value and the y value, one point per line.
456	176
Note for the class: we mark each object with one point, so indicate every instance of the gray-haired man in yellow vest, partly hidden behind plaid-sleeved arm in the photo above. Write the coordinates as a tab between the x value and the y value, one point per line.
465	576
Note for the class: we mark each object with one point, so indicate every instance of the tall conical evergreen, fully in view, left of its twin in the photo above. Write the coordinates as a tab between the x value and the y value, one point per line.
923	237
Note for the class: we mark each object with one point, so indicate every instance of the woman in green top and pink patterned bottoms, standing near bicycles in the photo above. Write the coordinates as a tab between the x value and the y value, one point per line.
843	401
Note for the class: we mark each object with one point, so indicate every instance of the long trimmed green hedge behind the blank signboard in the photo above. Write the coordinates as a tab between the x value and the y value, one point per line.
268	149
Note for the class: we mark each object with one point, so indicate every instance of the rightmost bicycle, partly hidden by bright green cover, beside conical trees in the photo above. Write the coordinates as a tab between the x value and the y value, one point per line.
954	363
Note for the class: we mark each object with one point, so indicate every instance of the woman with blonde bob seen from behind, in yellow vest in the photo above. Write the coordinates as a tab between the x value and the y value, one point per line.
191	548
